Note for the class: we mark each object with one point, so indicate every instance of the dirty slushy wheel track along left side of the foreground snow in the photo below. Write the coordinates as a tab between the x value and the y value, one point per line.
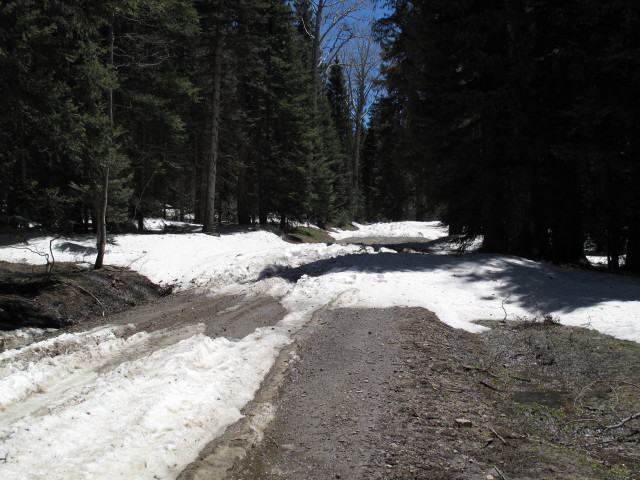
80	360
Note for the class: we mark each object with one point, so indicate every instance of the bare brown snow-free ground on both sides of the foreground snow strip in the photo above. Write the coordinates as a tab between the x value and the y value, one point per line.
383	393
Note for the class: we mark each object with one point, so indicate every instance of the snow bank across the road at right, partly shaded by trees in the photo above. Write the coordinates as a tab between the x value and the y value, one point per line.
463	289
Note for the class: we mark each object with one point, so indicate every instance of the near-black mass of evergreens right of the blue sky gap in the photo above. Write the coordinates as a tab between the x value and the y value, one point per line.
518	120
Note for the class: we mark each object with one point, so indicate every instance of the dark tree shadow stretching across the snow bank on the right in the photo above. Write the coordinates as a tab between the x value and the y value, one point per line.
531	285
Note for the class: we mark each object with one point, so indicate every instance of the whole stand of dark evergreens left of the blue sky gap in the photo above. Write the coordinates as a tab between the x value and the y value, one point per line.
116	97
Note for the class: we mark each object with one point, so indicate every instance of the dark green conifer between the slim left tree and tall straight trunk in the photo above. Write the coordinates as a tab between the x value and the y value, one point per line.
155	62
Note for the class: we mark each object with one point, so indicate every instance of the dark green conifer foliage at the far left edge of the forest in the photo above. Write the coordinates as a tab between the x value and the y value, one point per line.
54	131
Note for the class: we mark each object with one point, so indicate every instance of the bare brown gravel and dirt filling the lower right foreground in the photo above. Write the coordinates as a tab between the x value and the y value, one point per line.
396	394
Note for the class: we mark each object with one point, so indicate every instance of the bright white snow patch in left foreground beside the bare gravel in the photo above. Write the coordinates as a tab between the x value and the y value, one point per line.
147	418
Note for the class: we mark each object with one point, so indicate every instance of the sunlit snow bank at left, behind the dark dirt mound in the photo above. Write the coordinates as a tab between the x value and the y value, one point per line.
184	260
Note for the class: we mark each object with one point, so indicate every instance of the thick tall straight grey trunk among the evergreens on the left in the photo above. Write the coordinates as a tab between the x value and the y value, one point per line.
212	159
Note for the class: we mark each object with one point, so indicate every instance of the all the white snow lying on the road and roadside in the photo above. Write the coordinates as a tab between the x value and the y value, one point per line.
102	404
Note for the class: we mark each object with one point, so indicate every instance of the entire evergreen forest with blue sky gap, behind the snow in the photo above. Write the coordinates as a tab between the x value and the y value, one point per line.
514	120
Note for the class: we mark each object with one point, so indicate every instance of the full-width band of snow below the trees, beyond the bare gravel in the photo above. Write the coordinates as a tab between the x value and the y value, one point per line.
459	290
